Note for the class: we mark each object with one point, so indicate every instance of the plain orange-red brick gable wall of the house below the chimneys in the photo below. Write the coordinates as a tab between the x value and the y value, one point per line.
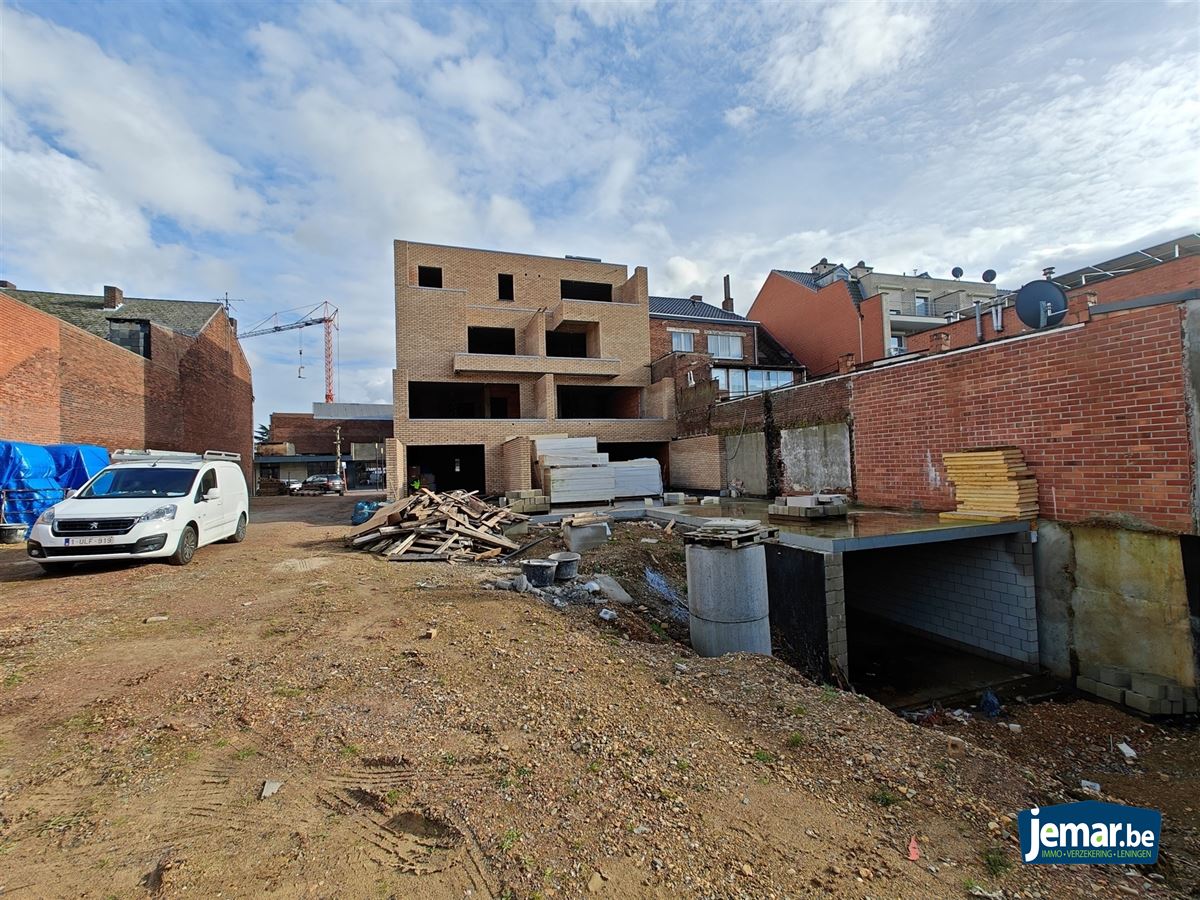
817	327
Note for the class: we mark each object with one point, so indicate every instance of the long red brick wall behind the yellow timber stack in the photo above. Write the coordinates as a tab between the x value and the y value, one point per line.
1100	412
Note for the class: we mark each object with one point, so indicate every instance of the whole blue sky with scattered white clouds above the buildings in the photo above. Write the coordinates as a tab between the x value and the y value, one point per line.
187	151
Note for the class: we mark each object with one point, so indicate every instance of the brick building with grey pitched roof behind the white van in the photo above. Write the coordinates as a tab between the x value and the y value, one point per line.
123	373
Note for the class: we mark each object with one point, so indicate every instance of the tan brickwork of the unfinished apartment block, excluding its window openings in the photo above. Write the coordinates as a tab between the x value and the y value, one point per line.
433	347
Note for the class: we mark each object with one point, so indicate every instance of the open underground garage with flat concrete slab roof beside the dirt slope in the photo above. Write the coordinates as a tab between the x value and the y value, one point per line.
904	608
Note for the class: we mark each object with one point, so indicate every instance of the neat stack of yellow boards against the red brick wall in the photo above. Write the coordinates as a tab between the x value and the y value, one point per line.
992	485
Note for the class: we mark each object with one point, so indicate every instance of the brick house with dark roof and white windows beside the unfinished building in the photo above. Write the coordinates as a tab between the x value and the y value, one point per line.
717	344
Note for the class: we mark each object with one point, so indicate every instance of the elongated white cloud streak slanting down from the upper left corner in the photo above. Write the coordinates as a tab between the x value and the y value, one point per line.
115	118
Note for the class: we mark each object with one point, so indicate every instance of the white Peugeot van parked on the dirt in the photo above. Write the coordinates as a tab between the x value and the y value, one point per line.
147	505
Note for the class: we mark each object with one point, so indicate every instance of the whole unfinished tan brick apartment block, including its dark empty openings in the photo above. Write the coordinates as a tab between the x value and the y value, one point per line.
494	349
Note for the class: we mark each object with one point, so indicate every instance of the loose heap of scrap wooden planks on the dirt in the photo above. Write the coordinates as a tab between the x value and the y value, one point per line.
428	526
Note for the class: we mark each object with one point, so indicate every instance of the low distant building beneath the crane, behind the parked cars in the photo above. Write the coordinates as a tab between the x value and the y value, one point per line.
307	443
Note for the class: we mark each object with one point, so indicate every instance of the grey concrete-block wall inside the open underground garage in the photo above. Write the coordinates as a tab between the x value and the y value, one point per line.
976	593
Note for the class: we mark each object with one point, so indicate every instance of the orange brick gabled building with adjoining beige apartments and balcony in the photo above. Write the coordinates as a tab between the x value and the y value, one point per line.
833	310
